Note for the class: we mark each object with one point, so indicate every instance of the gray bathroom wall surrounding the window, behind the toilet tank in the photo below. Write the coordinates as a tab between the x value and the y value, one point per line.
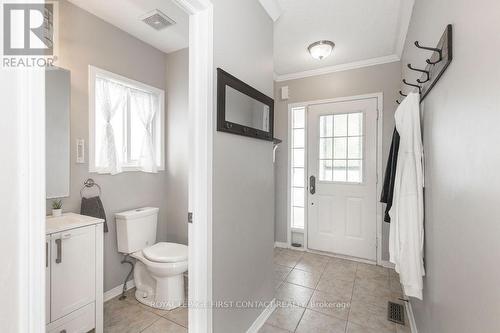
87	40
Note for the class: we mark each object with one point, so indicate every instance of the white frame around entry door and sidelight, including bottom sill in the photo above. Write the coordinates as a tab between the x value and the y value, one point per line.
380	108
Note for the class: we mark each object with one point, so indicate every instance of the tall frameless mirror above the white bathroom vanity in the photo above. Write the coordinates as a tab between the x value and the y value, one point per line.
57	127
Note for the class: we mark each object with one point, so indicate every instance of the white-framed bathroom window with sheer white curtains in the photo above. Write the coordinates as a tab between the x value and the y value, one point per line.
126	124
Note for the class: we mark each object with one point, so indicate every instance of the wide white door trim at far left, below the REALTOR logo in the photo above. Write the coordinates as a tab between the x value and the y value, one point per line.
23	200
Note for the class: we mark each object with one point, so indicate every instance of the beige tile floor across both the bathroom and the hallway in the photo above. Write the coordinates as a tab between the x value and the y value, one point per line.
318	294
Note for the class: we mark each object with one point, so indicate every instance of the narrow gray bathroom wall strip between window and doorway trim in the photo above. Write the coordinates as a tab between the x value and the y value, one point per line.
177	146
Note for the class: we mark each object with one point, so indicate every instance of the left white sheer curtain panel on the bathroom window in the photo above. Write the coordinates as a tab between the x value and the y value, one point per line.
110	98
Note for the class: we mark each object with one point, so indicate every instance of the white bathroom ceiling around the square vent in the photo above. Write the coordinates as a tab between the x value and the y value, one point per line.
126	14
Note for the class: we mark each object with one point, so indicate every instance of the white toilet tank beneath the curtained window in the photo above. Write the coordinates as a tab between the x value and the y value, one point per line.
136	229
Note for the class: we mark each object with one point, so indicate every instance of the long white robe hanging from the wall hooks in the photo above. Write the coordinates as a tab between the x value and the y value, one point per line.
406	239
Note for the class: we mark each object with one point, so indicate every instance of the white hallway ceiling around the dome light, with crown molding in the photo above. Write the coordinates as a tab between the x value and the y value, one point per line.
366	32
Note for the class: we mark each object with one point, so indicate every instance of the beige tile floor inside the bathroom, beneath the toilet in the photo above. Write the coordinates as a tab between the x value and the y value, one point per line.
130	316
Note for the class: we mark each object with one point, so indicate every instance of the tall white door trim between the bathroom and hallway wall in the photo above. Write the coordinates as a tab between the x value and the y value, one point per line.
201	111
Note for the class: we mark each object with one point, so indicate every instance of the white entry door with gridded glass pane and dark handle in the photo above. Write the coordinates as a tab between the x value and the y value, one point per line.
342	166
